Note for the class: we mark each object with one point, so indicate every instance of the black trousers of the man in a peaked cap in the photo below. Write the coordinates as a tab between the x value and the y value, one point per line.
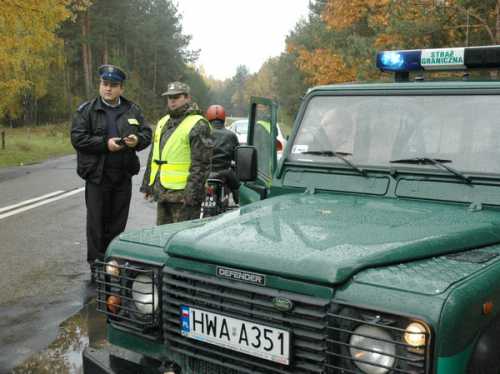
108	205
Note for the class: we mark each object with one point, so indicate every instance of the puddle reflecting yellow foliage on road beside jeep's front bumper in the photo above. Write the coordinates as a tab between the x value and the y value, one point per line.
64	354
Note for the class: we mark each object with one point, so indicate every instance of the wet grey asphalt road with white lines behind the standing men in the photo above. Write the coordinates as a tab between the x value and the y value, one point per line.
43	269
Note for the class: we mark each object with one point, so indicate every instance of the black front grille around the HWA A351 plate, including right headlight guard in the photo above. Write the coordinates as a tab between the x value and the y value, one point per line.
321	331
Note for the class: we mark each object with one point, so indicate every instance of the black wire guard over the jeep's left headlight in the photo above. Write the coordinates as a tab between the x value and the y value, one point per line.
140	316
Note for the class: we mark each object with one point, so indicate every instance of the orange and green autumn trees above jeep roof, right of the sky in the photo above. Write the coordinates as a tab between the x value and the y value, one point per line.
341	39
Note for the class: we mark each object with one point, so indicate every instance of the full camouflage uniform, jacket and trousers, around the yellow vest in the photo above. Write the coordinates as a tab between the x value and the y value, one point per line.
182	205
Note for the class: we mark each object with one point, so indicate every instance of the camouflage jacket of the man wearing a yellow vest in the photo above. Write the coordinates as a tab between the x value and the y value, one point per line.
201	144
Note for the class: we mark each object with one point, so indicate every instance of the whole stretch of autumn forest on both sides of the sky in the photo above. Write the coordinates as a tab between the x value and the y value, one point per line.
50	51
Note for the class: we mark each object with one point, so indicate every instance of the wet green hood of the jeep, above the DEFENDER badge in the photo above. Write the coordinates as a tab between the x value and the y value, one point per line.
329	238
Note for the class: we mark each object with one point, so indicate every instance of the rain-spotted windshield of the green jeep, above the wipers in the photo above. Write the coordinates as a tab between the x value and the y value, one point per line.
373	130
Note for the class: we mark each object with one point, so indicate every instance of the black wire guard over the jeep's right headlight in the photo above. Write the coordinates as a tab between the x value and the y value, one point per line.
344	321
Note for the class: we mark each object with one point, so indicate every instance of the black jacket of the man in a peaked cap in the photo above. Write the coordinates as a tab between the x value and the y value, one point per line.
89	136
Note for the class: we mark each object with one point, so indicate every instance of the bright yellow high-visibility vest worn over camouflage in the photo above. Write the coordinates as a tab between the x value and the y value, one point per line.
175	159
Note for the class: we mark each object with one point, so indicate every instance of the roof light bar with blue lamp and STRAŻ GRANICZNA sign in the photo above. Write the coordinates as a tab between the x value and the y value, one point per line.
441	59
